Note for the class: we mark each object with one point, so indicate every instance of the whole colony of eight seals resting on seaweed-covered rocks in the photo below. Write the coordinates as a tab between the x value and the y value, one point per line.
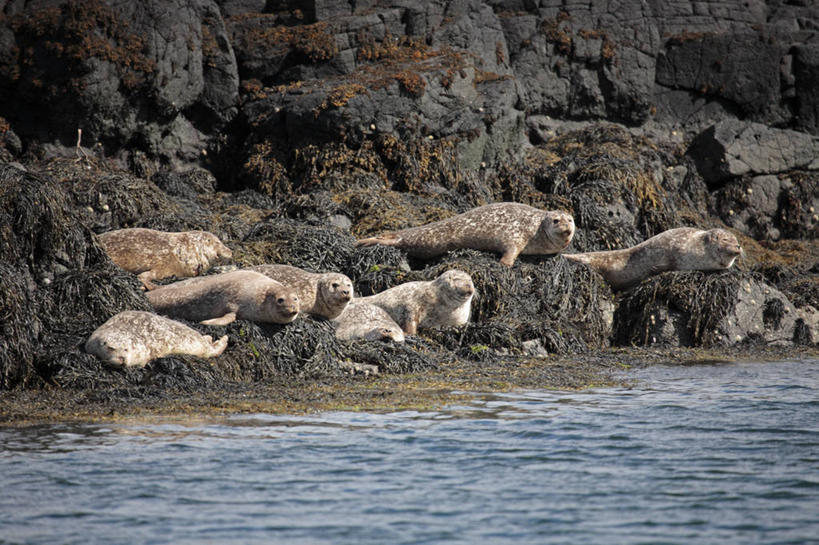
277	293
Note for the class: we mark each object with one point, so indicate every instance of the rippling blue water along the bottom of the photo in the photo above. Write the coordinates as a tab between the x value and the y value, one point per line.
690	454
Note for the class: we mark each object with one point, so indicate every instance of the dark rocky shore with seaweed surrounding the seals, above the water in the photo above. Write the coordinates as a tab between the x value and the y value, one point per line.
290	129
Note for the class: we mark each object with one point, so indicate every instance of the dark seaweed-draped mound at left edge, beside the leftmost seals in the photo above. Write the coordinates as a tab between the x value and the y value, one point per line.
57	283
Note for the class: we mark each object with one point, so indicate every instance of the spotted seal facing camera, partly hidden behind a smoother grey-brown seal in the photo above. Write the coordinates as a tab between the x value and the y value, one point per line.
320	294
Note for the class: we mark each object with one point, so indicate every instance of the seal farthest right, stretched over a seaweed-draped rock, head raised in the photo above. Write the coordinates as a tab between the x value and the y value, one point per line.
683	248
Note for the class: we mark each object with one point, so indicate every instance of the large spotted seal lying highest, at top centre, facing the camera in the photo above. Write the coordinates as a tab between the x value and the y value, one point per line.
509	228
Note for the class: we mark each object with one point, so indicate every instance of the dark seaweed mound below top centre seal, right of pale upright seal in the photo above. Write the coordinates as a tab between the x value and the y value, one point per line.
564	306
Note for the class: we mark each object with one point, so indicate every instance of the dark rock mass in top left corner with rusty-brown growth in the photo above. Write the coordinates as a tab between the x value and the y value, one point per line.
125	73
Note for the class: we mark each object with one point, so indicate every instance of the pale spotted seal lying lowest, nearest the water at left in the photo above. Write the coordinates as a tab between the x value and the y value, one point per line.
132	338
